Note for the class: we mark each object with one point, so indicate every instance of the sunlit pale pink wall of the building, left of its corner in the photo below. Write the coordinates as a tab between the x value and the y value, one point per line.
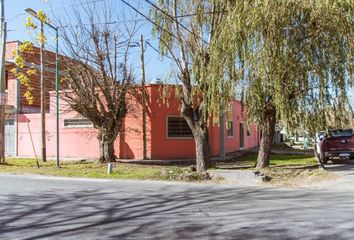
81	142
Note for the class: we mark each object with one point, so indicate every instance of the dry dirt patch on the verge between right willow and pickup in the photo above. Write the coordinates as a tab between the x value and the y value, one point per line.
296	177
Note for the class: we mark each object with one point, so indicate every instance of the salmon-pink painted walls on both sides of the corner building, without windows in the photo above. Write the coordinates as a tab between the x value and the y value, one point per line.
83	143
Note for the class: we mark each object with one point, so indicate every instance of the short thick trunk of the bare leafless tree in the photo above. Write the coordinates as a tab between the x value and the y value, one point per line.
106	148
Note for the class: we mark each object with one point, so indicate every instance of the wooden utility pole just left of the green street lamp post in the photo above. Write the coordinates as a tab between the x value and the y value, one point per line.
44	155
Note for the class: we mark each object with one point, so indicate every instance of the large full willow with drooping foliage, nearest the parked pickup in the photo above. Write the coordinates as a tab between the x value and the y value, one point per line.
297	58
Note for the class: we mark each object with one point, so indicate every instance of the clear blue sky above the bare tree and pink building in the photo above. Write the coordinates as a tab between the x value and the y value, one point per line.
15	16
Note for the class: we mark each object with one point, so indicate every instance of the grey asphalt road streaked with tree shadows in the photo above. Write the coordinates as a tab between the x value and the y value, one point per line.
52	208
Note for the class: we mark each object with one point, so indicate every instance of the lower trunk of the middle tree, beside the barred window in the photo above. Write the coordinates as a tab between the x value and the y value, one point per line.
202	151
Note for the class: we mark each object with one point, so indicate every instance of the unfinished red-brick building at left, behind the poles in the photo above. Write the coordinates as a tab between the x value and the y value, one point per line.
16	103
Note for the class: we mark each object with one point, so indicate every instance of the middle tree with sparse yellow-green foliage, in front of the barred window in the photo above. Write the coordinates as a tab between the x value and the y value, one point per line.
188	31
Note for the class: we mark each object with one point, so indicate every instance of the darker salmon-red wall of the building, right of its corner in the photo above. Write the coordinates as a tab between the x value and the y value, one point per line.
164	148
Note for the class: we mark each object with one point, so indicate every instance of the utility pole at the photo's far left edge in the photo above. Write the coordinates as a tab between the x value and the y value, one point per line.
3	98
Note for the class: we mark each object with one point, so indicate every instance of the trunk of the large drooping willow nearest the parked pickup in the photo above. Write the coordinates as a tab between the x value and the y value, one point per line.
267	127
